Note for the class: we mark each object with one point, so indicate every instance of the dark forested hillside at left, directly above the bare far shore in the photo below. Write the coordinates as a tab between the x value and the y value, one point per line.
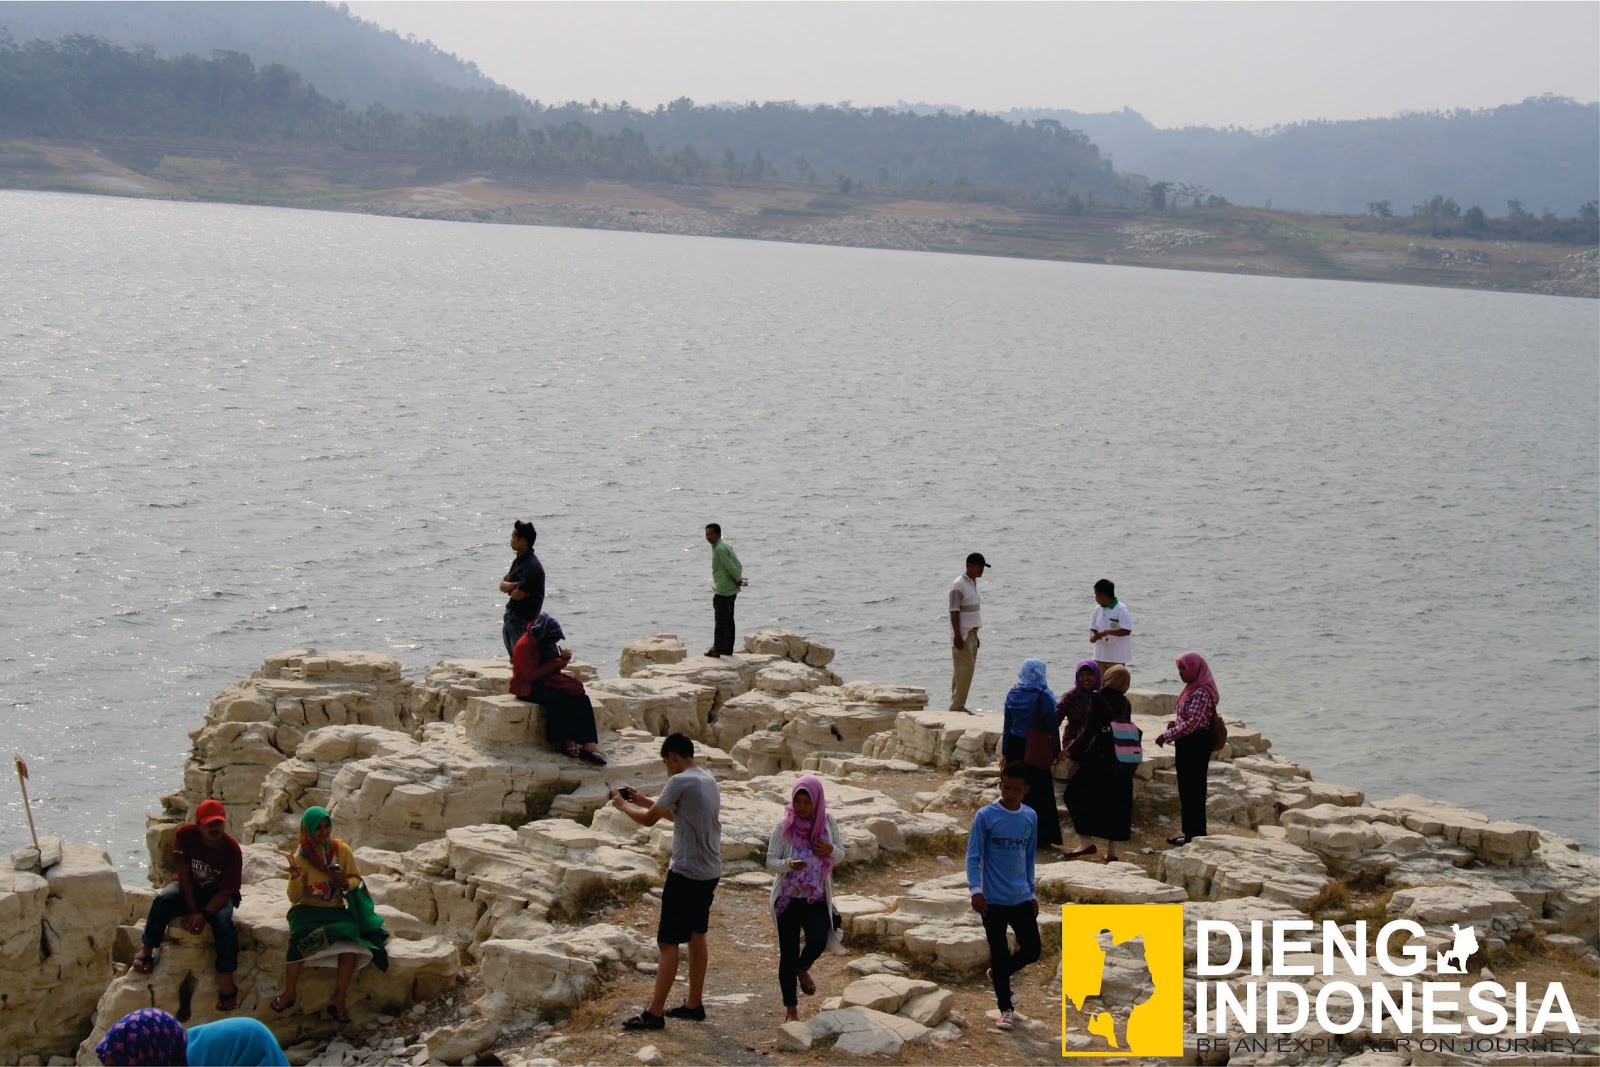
84	87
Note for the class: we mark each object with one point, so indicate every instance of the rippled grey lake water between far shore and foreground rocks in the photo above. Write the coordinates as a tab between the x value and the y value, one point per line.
234	431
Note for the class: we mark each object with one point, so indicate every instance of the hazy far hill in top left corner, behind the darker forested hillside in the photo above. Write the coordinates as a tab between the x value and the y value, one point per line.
343	57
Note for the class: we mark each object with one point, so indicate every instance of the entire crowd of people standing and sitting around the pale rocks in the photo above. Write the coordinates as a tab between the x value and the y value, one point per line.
1089	729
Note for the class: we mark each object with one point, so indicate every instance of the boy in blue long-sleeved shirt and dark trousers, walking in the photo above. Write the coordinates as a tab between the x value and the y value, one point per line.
1001	853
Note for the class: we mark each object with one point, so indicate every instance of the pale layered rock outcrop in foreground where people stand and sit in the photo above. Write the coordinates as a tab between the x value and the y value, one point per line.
508	884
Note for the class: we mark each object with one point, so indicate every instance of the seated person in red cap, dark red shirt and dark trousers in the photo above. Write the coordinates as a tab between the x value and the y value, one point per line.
206	890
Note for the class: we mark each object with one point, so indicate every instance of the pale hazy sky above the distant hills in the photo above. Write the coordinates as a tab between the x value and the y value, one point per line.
1249	65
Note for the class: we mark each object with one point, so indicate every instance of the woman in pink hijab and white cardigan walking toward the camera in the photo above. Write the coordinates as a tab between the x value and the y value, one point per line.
804	847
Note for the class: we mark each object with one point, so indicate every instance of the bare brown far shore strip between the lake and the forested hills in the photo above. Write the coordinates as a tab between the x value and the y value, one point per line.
1223	241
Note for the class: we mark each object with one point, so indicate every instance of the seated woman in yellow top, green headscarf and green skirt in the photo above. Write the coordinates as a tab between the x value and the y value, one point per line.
332	914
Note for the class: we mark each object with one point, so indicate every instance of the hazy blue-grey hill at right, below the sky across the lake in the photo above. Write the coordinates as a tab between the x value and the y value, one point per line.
1543	153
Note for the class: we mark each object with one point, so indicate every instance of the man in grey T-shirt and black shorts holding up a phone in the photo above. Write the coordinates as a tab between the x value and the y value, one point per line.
692	804
